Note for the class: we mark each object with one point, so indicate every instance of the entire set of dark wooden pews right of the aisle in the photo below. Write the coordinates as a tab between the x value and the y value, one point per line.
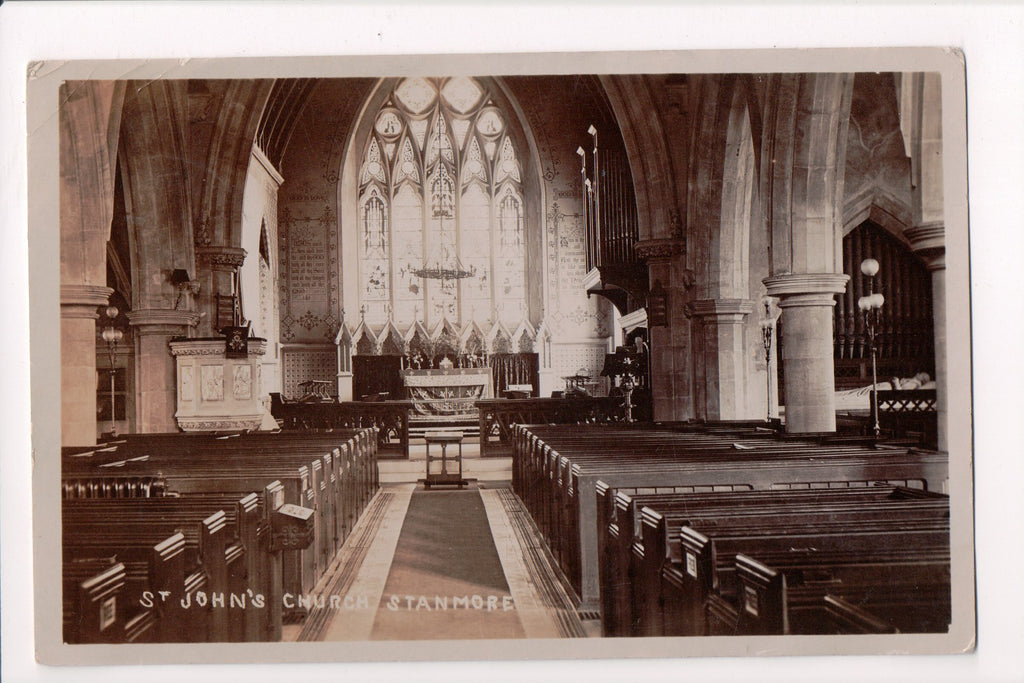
594	491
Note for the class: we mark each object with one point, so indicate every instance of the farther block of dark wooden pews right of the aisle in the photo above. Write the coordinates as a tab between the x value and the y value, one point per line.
557	469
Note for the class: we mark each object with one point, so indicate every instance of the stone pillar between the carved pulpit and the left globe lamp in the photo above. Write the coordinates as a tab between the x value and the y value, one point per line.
155	377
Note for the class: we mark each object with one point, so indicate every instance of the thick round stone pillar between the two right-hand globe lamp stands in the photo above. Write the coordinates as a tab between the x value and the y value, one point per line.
807	302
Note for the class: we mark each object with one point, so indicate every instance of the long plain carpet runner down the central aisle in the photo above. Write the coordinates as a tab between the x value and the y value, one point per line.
446	581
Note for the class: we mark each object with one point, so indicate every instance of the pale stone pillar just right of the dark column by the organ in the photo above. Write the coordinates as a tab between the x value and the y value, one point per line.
723	358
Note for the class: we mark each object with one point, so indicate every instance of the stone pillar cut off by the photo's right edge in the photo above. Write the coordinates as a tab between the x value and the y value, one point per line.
929	242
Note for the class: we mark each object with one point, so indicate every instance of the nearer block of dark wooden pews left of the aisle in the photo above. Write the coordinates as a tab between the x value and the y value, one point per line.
167	553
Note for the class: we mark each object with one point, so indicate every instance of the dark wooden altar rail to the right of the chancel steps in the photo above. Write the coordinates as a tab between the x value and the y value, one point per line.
499	416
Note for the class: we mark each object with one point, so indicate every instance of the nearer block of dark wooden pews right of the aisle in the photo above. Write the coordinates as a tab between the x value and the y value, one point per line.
775	563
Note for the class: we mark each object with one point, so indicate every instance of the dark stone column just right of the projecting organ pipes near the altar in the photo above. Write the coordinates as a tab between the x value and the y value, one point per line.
669	346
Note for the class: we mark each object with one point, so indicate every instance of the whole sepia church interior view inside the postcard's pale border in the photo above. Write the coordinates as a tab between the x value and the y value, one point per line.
511	357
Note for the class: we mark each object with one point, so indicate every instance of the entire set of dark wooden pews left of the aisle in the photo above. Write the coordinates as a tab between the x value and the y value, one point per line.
196	538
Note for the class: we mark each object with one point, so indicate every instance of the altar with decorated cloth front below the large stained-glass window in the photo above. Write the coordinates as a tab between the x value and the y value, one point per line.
448	393
